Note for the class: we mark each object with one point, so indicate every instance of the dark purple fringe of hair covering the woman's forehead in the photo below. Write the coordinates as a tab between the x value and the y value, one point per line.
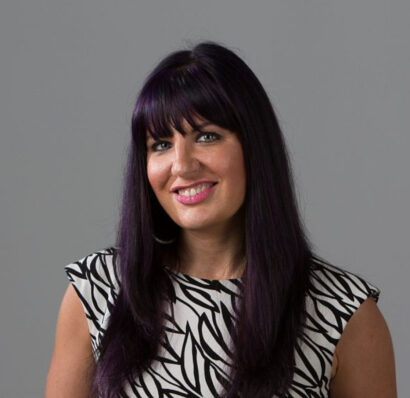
185	93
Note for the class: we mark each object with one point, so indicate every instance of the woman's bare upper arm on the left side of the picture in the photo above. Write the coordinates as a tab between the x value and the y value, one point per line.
72	360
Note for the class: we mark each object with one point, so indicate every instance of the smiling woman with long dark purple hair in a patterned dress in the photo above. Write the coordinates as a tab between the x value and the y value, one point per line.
212	288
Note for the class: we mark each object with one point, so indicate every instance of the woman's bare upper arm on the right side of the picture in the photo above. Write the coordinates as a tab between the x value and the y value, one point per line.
365	357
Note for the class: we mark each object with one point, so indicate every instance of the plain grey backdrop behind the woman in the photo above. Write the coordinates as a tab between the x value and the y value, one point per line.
337	73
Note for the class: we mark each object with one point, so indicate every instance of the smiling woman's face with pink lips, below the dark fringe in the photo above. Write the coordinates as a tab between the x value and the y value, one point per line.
214	155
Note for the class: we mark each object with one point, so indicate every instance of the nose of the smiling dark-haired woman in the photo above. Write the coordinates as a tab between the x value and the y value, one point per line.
185	160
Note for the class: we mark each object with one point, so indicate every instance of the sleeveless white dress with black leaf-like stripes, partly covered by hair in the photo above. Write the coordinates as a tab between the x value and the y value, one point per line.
195	354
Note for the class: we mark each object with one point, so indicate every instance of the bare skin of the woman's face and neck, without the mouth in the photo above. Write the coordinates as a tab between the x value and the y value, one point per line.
212	230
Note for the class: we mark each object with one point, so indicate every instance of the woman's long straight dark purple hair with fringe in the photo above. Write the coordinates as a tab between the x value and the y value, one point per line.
213	82
